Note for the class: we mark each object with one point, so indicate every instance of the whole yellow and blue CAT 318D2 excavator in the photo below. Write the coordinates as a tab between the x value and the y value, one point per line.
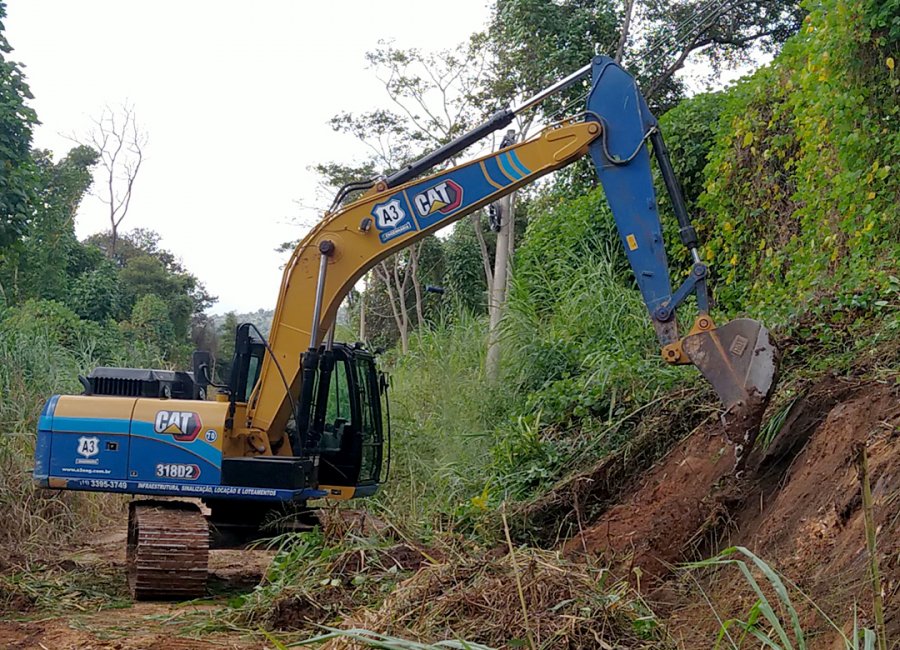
303	417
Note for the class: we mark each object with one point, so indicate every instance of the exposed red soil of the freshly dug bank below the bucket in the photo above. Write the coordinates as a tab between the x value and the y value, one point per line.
798	507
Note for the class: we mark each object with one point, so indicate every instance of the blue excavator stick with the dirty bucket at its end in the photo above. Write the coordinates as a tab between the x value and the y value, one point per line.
739	358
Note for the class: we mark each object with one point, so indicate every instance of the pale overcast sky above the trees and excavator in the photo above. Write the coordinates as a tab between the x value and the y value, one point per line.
235	97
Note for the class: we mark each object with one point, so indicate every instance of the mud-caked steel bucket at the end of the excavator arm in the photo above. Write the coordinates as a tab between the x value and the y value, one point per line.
739	360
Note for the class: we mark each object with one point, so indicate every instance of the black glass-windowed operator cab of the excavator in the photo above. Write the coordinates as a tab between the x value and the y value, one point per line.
340	412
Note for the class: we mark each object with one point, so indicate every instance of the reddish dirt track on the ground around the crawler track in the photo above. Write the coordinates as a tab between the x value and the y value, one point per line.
96	614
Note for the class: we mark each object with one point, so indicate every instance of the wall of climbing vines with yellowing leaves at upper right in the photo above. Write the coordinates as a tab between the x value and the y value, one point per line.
799	164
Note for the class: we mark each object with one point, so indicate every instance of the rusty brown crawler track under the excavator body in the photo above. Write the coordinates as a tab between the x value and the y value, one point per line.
168	550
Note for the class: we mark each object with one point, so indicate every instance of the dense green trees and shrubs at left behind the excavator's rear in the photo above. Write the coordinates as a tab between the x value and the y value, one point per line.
68	305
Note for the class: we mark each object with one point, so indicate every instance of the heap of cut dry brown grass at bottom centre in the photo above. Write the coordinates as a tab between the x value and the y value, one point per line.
477	599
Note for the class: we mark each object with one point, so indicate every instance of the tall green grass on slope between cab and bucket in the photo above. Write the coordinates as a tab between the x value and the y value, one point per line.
579	358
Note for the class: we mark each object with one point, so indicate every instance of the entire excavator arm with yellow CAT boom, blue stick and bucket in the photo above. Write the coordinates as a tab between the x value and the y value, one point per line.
619	133
